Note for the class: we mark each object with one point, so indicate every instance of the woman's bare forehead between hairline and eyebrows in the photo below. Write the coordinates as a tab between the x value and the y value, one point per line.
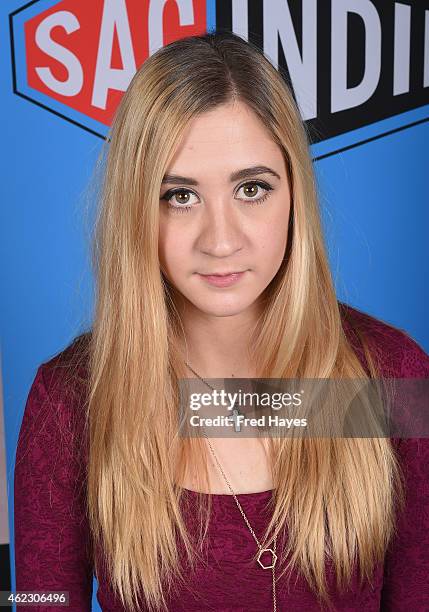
224	134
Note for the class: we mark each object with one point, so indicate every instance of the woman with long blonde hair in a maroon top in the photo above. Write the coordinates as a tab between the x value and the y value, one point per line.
208	172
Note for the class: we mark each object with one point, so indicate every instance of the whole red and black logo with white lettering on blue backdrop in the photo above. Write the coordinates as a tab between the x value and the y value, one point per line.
351	63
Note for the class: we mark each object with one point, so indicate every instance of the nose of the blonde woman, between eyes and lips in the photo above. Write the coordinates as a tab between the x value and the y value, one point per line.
221	232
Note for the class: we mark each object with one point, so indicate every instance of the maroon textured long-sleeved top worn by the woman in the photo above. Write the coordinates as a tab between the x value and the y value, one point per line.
52	539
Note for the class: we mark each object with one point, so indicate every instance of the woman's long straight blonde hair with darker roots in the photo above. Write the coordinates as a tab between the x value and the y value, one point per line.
335	495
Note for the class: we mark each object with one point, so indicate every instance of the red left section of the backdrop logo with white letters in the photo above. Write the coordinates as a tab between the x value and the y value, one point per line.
84	53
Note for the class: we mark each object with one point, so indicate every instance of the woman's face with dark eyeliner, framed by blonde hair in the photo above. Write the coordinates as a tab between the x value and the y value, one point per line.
224	207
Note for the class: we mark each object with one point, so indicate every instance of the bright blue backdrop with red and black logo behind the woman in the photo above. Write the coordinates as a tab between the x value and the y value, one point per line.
359	70
